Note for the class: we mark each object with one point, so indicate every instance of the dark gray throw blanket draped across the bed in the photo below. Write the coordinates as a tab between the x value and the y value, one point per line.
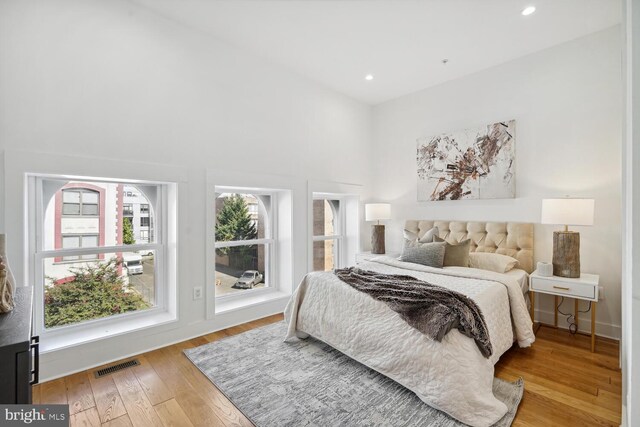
431	309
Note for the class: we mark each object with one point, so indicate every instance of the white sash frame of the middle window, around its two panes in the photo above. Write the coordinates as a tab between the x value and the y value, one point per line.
270	242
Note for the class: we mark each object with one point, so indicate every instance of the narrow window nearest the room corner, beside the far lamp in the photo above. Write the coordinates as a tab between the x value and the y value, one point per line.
327	234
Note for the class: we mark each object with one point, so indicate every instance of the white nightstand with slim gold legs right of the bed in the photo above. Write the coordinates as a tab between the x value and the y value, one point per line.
583	288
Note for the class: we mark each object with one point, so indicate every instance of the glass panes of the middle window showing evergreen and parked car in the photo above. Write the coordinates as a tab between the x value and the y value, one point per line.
244	241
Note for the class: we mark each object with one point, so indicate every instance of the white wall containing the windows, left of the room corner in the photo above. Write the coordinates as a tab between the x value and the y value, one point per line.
108	79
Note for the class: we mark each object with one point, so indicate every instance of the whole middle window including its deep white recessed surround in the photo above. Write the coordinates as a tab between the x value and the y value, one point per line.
269	201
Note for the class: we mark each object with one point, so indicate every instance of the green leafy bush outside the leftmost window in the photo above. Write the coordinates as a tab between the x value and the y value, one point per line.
95	291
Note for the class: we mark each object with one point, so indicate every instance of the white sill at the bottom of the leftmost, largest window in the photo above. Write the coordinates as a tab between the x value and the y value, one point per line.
73	336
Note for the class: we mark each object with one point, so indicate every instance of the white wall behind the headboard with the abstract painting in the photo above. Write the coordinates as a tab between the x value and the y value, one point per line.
567	104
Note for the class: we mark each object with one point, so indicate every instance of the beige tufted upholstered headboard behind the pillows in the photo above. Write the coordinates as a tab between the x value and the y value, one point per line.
514	239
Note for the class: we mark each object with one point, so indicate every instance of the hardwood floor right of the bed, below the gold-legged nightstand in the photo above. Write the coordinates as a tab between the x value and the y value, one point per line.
566	384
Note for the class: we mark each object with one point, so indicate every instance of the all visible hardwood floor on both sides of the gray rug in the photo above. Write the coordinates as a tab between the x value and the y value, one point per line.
565	385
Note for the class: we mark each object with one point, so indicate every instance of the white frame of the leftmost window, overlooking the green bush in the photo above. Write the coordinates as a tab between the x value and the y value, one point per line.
38	254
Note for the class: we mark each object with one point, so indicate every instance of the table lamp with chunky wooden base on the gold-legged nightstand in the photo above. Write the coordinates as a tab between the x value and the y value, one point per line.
566	244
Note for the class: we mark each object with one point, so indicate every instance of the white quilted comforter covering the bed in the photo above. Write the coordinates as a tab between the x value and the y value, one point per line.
451	375
